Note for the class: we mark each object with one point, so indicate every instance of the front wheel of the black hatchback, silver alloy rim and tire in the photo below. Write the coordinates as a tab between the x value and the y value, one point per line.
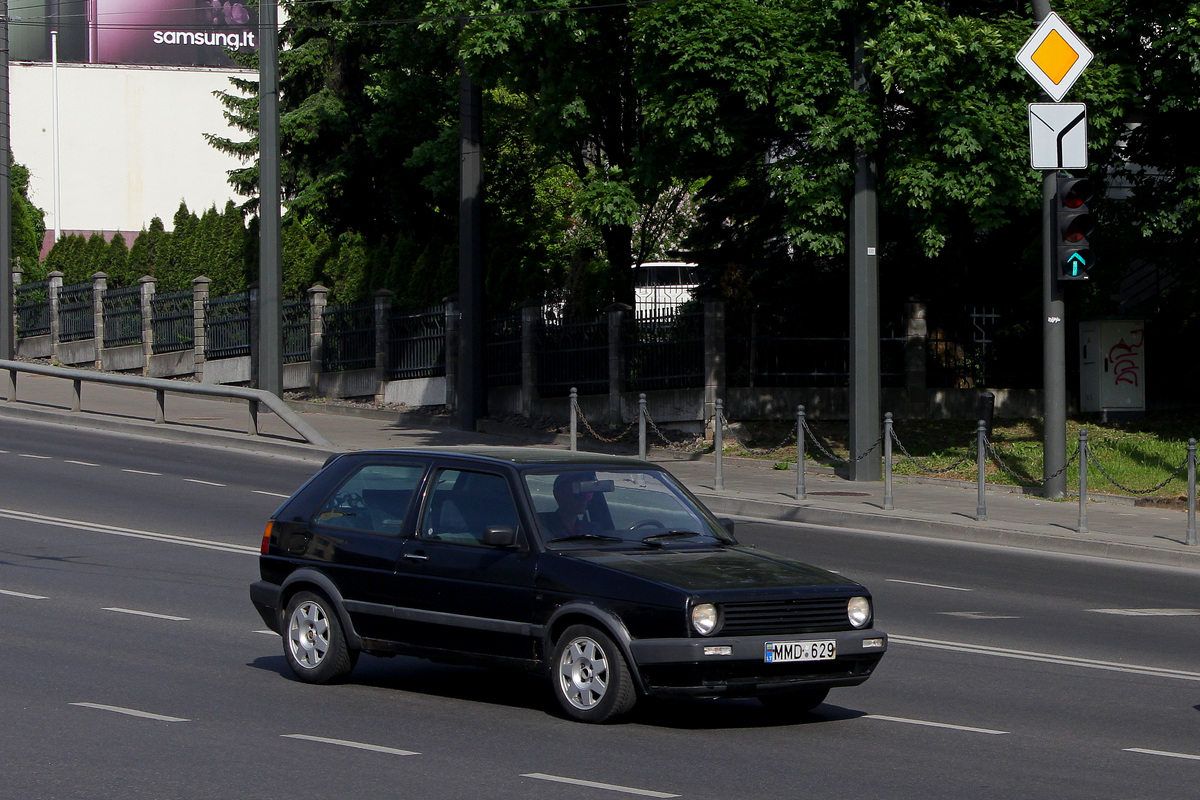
591	678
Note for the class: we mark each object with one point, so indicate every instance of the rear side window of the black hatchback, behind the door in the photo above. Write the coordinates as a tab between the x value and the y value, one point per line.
375	498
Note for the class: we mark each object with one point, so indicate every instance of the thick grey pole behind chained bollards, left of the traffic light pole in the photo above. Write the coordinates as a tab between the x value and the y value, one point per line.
866	405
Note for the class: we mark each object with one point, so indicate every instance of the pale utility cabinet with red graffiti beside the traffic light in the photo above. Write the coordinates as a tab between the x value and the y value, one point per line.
1113	366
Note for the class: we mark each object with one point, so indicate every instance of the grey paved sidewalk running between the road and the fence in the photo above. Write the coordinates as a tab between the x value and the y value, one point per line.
752	488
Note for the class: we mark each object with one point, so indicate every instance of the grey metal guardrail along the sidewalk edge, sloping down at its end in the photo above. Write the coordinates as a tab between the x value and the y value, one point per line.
254	398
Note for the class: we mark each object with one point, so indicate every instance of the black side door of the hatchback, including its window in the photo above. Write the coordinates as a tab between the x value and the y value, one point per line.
463	593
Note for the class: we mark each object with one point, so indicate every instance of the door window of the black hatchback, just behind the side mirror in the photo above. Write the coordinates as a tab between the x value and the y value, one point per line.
464	504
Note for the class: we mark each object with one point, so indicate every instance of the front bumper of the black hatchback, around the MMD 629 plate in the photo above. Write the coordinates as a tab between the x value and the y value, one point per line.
681	666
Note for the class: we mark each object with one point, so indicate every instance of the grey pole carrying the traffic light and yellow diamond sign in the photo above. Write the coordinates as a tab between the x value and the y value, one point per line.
1054	336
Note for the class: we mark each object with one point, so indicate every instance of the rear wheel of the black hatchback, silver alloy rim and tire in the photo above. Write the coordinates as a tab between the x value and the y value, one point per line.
314	642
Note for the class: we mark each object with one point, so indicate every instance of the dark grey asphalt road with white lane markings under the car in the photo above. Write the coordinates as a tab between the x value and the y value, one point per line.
134	666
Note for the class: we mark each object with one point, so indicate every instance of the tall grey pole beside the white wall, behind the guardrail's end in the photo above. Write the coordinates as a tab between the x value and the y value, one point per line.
271	244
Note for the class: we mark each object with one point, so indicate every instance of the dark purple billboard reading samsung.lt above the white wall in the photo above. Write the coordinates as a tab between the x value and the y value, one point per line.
177	33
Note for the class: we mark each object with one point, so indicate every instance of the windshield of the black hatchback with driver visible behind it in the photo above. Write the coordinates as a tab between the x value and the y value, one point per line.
619	506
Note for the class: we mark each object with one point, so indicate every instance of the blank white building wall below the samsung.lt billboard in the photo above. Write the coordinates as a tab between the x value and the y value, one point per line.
131	142
